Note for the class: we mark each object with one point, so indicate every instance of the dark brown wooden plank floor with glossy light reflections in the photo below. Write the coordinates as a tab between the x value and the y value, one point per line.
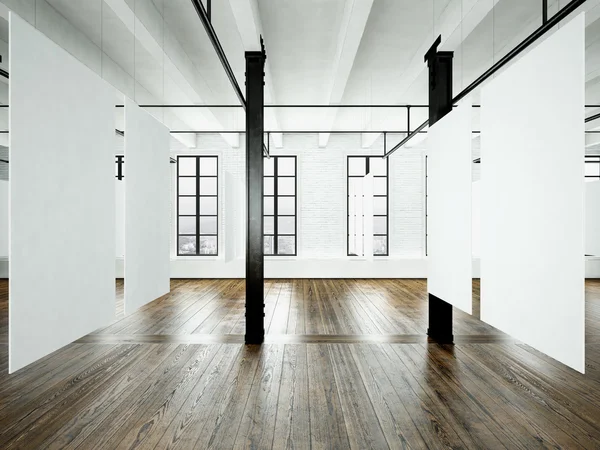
345	365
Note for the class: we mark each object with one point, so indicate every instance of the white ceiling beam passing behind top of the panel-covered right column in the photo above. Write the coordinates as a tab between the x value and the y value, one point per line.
470	13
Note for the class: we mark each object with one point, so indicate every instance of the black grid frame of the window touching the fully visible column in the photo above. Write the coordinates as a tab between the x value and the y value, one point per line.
276	235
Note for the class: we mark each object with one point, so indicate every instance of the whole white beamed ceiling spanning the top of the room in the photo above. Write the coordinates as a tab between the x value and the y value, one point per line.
318	52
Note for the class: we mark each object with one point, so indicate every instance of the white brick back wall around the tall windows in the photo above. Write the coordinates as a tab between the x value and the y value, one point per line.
321	213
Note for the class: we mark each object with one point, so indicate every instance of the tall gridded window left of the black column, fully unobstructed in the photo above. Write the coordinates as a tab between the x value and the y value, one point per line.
197	205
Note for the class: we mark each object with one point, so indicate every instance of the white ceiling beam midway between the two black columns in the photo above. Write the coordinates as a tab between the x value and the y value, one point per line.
354	21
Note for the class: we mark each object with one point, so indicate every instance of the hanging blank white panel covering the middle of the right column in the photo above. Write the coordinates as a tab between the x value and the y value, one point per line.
449	205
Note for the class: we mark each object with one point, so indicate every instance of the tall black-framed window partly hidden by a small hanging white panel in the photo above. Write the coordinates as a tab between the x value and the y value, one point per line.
358	167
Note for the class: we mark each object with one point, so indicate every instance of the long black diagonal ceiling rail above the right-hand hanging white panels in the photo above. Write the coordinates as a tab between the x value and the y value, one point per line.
526	43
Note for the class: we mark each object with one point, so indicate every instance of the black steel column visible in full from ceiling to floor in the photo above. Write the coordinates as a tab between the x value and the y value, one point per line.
255	300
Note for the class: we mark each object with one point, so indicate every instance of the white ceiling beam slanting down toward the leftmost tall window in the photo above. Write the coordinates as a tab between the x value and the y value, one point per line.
174	70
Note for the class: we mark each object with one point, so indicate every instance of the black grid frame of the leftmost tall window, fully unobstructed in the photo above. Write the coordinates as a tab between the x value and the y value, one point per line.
198	196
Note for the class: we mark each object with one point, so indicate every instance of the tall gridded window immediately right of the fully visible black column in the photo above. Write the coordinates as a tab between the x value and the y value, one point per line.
279	195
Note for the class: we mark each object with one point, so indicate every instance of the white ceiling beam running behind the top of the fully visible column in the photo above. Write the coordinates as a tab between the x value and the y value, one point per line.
249	24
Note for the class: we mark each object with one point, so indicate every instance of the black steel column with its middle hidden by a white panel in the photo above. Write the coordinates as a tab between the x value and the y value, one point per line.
440	104
